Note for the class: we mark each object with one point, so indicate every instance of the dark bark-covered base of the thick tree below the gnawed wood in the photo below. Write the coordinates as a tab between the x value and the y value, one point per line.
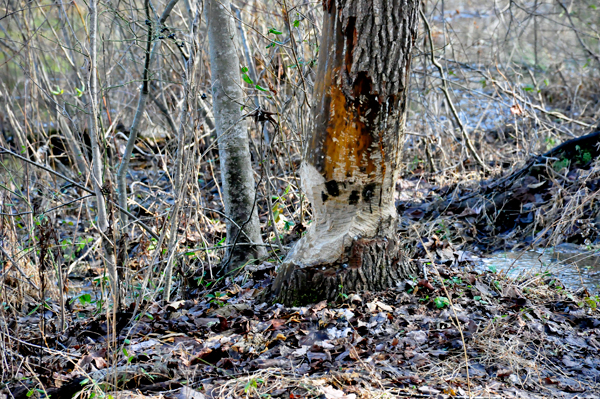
370	264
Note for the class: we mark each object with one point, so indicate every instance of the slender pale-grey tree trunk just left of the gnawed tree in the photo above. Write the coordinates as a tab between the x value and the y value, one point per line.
234	152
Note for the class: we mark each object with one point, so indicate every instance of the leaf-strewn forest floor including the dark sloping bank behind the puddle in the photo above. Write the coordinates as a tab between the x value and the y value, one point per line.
456	330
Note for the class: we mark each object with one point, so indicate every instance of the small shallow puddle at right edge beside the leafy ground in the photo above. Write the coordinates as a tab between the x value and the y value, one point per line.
573	265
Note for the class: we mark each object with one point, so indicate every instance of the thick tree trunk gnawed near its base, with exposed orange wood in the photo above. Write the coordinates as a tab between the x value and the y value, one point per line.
353	155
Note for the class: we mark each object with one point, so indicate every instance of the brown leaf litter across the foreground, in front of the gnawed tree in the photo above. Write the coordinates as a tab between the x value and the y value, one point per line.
528	337
